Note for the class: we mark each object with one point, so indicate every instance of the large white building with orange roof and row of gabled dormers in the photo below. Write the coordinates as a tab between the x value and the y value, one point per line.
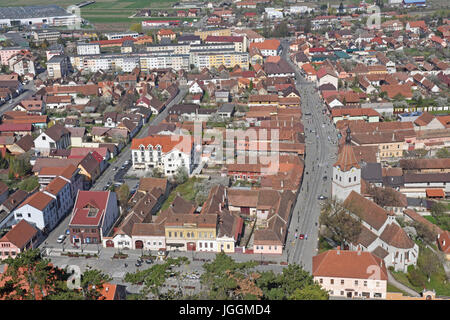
165	151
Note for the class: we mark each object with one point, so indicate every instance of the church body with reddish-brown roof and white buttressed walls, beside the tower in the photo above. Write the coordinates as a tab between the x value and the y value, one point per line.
381	234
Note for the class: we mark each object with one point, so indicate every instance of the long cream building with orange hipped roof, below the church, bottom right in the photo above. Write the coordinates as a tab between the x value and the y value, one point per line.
350	274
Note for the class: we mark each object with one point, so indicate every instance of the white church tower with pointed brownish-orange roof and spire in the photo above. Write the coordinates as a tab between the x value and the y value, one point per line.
346	172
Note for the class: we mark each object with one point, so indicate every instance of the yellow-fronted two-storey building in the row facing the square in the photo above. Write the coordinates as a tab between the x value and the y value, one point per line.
191	232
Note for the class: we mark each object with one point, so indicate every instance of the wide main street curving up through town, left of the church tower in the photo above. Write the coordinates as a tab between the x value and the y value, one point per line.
321	150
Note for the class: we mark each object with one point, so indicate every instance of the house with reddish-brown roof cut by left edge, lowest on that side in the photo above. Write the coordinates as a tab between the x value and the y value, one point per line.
21	237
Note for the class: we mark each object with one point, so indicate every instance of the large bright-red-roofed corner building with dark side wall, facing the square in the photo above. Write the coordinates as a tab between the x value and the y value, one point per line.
93	216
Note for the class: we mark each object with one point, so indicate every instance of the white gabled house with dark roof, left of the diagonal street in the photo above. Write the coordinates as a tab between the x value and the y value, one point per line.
55	137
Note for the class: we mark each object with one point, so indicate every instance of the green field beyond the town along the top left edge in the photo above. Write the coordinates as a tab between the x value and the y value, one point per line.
105	14
